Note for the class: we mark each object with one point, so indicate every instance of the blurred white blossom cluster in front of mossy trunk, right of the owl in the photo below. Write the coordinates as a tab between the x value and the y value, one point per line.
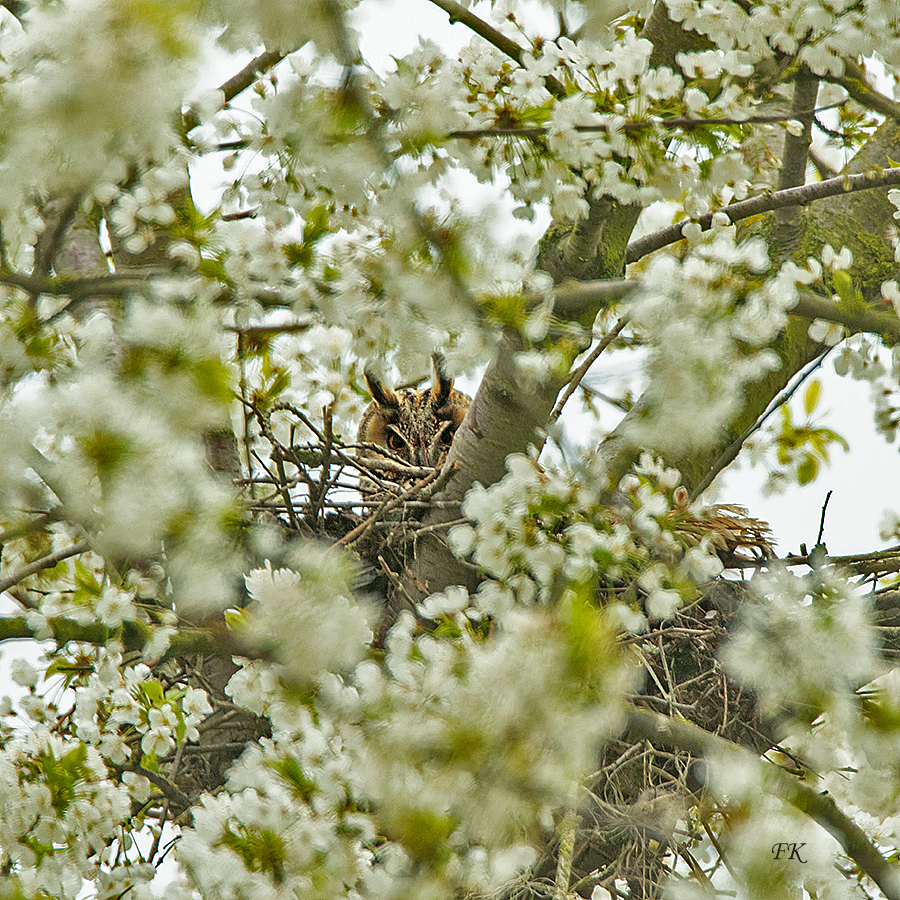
702	318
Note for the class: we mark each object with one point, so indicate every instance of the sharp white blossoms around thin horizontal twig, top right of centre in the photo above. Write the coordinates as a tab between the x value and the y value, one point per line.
615	83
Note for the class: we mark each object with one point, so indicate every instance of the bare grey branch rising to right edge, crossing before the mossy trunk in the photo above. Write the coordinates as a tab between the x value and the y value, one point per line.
744	209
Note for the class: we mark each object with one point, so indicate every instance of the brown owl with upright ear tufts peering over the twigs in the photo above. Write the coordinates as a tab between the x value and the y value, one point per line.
416	426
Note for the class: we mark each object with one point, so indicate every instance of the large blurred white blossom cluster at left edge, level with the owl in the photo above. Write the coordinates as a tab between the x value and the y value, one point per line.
119	430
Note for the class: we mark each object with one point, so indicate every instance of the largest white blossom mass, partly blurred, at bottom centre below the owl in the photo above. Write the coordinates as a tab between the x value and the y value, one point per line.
453	751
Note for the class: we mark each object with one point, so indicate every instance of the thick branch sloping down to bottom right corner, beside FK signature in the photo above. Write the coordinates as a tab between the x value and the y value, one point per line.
677	734
